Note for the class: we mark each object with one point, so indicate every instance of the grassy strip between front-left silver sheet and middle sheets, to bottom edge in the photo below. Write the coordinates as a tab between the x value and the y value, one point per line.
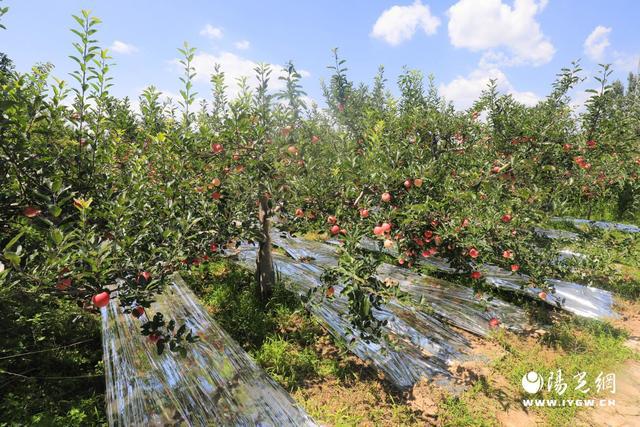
330	383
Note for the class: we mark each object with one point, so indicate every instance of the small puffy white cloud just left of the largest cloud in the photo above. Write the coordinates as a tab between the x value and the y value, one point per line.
399	23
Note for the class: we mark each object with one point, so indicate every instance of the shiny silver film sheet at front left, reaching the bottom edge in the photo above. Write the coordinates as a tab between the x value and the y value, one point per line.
217	383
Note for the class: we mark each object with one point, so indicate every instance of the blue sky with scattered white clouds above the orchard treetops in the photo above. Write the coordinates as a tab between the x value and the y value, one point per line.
521	43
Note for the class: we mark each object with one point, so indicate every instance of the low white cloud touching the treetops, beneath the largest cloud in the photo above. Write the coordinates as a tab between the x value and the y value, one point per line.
463	91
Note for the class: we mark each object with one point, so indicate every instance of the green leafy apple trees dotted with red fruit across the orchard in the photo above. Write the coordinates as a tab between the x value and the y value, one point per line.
98	198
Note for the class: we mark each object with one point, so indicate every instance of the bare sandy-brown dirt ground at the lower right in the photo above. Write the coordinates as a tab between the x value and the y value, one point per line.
365	399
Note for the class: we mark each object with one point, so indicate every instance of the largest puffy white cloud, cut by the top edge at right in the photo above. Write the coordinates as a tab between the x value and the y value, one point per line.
490	24
